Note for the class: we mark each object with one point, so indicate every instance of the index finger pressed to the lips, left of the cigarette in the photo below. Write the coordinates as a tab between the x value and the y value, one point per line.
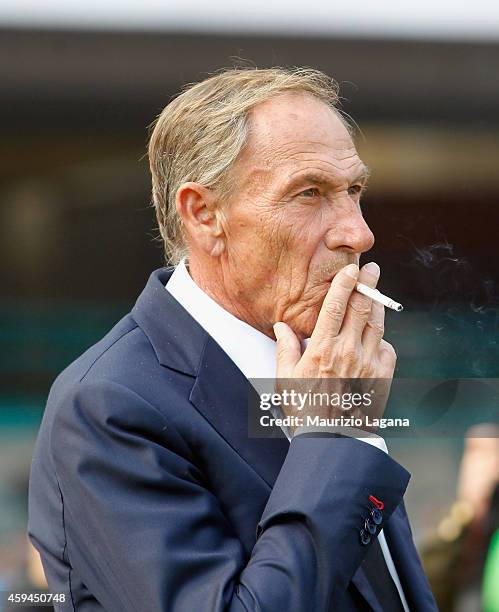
334	306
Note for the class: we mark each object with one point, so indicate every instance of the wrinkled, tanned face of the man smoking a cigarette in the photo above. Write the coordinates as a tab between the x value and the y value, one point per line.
294	218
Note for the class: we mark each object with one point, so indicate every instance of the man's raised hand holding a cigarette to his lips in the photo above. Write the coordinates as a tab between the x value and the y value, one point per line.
347	342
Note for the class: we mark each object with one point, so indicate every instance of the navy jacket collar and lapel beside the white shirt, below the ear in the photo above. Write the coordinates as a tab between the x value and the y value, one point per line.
220	391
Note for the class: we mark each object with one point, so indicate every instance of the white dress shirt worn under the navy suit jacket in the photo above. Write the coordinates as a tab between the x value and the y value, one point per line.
254	354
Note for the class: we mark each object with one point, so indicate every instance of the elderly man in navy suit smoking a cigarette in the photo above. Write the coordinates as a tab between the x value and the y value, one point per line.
147	493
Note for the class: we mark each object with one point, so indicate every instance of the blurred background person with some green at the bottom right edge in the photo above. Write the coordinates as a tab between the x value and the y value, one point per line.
467	538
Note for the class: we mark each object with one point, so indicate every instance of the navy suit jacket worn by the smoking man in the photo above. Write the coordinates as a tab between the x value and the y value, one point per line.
146	493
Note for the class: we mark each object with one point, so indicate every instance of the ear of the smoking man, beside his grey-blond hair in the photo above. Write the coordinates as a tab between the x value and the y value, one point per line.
199	209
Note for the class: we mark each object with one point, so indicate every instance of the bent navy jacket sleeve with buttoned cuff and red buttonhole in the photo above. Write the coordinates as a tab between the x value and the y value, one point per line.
145	532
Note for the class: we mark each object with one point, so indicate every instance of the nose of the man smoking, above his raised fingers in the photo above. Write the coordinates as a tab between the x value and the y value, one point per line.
348	230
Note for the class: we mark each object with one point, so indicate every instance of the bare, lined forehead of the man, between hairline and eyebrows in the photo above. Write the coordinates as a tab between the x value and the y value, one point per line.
293	128
